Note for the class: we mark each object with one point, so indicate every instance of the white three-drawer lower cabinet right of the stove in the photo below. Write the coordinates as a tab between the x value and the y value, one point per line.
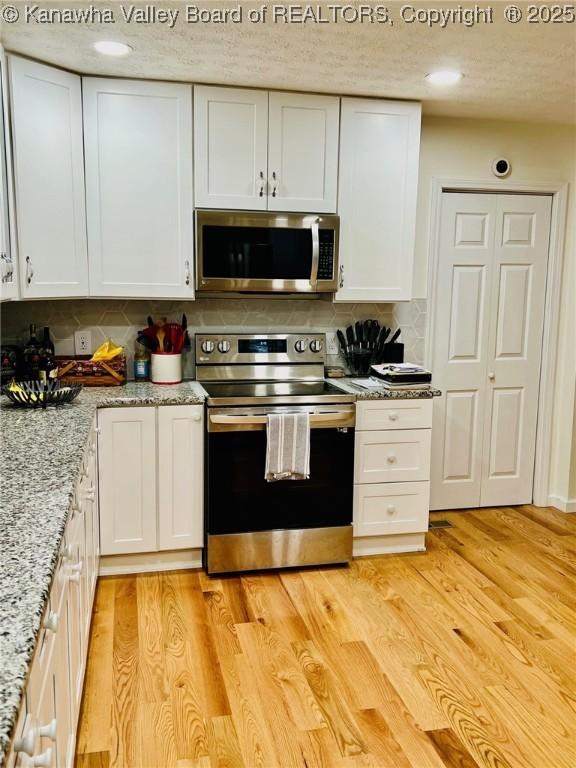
391	475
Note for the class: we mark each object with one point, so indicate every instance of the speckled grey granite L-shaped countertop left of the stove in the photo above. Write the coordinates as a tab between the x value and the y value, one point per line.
40	456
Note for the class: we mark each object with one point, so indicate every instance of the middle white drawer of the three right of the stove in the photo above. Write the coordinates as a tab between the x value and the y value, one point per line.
392	456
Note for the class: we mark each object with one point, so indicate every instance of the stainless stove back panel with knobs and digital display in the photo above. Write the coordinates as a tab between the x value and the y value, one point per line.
230	349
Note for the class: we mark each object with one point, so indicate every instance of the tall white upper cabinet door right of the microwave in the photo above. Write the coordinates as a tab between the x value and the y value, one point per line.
377	186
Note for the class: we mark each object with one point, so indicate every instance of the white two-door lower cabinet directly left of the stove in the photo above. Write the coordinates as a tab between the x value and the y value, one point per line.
150	478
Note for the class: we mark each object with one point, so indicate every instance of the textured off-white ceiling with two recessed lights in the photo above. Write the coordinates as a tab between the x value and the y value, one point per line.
512	71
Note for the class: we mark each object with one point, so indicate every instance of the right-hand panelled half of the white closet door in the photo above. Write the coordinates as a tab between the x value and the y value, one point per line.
518	294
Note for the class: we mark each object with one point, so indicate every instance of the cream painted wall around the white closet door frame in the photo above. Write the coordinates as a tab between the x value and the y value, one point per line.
464	149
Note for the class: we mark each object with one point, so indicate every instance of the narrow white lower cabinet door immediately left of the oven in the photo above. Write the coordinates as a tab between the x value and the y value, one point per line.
180	476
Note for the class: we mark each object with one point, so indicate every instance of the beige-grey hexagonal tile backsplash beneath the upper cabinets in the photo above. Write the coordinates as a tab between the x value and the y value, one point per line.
120	319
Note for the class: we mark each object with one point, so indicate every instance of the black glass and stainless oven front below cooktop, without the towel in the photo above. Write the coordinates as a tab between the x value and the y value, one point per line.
253	524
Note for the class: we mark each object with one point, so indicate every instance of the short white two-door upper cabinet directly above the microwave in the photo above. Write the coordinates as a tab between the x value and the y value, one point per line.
259	151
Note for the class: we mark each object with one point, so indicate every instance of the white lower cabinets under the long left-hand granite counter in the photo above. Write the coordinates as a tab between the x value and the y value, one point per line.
45	733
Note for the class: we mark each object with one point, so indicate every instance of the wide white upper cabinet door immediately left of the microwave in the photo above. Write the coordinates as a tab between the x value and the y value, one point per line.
138	138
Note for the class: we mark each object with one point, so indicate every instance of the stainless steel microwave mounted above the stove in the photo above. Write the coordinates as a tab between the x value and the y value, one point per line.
261	252
